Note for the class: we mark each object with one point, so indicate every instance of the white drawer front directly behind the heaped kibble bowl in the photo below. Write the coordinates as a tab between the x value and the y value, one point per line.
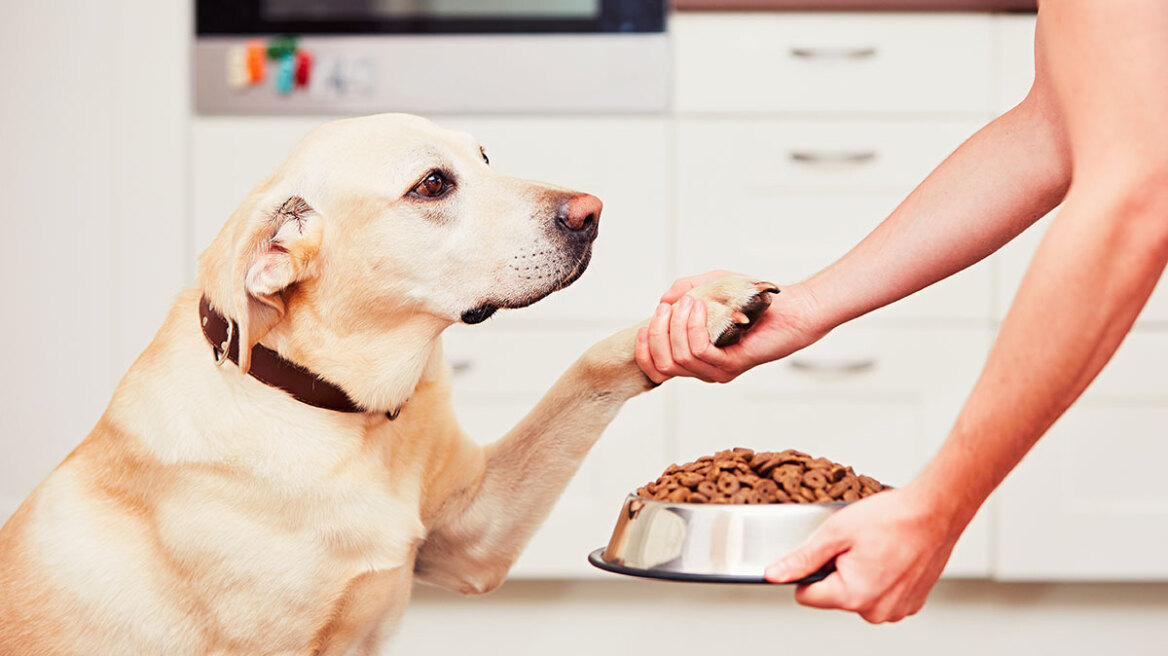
879	400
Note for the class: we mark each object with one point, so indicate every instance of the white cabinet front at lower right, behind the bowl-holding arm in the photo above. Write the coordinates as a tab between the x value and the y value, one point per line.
1090	503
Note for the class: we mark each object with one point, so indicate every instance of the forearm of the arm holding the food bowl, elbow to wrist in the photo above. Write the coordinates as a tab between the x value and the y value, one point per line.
1053	344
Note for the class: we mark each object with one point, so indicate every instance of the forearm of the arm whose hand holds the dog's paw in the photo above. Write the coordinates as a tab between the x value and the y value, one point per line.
999	183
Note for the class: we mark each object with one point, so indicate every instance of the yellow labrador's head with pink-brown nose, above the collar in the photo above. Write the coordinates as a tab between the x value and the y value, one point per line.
374	219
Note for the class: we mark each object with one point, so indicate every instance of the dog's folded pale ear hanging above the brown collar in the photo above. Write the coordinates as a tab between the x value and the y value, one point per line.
277	252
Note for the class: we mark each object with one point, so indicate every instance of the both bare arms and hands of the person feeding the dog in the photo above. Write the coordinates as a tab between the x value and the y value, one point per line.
1091	135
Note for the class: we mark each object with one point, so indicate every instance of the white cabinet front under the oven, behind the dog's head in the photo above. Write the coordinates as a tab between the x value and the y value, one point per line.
622	160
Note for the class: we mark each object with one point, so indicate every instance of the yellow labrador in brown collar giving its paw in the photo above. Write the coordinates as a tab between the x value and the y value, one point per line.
282	462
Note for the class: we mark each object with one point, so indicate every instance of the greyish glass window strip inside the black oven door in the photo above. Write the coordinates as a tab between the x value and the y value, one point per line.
469	10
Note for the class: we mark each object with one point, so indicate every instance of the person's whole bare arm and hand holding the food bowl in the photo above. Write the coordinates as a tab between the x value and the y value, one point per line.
1091	276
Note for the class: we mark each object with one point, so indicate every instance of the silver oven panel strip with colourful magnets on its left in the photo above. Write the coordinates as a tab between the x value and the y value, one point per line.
433	74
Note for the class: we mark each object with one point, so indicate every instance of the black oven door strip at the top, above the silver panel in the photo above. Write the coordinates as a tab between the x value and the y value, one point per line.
427	17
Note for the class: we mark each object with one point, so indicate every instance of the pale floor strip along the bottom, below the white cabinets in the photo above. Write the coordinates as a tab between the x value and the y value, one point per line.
650	619
